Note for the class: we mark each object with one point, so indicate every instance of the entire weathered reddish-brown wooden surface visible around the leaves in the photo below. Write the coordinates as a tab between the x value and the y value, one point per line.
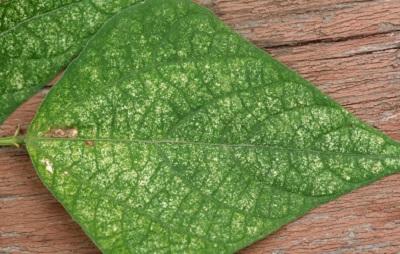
349	48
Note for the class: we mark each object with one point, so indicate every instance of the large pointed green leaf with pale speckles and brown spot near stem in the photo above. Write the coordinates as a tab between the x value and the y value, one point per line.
171	133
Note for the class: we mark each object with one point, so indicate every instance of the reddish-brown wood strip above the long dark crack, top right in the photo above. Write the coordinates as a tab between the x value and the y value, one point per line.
278	23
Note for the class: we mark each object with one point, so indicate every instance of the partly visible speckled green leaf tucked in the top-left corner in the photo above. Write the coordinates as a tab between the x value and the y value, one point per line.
39	38
